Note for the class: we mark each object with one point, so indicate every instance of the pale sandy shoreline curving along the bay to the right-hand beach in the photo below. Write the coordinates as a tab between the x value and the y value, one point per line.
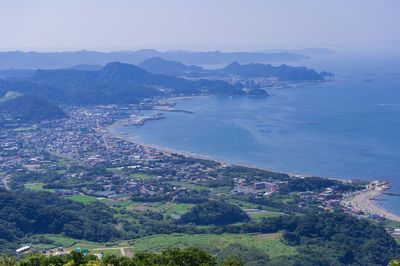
364	199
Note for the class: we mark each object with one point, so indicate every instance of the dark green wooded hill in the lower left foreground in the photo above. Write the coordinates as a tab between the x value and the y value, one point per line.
42	212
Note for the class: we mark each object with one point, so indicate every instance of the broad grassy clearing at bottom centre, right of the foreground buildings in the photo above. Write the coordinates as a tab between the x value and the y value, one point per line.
270	243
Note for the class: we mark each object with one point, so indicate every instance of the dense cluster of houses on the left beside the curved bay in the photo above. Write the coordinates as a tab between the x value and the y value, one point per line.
81	140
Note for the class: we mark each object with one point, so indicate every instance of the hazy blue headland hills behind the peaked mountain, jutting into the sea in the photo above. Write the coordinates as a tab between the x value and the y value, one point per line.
283	72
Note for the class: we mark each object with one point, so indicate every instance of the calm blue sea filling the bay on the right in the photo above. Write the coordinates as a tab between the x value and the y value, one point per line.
348	127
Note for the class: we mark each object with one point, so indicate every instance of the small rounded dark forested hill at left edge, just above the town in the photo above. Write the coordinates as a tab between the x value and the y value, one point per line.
31	107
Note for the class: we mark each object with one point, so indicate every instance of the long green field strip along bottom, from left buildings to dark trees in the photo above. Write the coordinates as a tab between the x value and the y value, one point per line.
269	243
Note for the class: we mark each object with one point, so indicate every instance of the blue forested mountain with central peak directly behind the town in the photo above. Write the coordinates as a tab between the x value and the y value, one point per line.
115	83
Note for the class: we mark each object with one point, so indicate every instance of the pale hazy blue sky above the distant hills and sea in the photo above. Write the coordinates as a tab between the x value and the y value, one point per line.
50	25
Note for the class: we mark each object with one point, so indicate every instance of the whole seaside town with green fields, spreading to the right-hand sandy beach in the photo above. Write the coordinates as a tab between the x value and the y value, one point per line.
78	158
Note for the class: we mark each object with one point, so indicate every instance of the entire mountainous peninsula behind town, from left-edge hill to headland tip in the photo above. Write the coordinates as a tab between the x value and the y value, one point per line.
38	95
